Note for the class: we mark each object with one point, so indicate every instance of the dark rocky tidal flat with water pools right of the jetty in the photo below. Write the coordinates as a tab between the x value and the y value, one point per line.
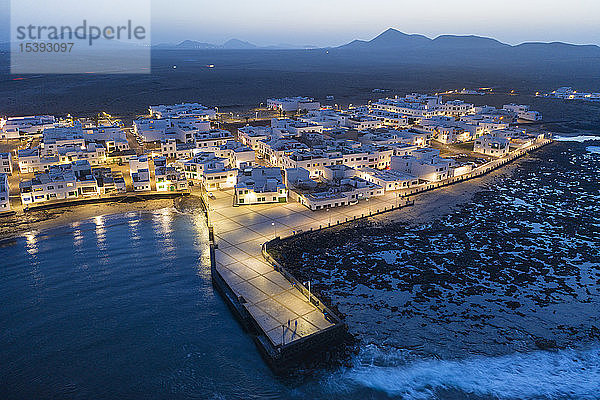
493	265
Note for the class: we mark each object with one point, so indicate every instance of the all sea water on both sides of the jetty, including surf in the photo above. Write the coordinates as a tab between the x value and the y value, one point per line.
123	307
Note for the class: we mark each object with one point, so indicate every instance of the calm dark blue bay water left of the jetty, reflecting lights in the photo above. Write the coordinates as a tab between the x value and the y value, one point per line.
121	307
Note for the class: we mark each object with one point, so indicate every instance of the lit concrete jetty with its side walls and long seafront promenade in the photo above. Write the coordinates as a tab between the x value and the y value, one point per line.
287	321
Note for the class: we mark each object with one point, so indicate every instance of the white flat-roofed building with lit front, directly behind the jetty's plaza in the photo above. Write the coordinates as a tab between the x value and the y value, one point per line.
260	185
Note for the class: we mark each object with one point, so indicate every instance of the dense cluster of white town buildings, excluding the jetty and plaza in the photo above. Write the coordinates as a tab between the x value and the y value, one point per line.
323	157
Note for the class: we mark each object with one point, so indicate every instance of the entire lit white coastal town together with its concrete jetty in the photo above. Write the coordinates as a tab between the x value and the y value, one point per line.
311	168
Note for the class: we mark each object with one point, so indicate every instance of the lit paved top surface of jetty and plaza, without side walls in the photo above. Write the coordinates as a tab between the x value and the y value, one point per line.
270	298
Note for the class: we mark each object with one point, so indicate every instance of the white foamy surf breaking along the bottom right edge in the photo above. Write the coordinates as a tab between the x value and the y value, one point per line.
571	374
